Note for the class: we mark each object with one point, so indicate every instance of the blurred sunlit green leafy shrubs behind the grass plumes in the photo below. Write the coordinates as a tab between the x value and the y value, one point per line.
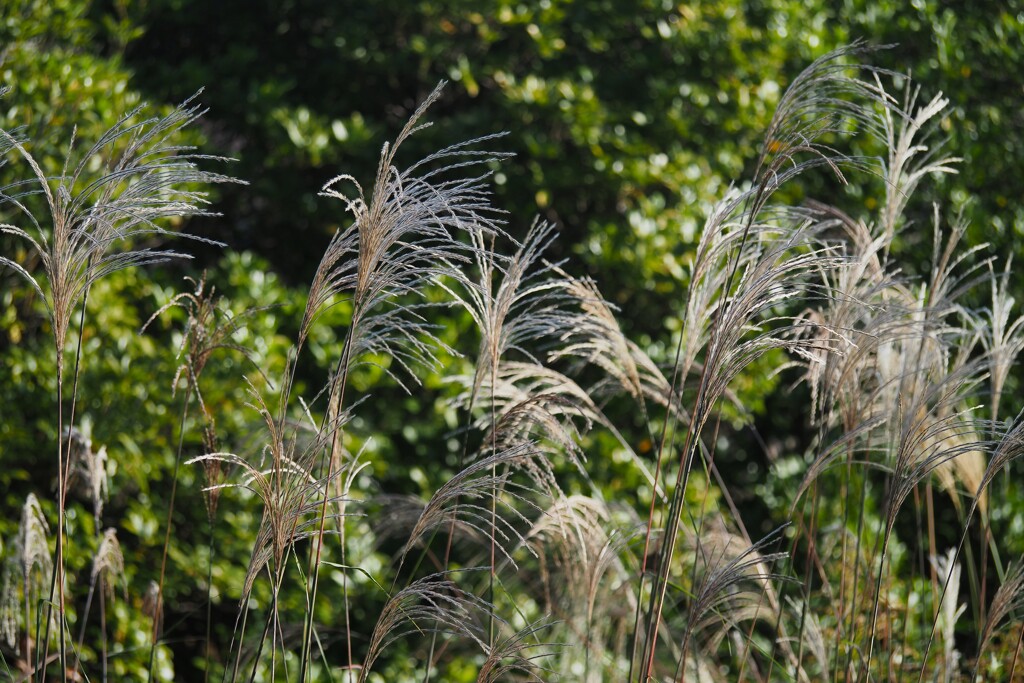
628	118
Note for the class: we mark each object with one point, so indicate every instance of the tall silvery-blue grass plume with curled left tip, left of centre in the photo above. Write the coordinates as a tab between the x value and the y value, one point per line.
404	236
